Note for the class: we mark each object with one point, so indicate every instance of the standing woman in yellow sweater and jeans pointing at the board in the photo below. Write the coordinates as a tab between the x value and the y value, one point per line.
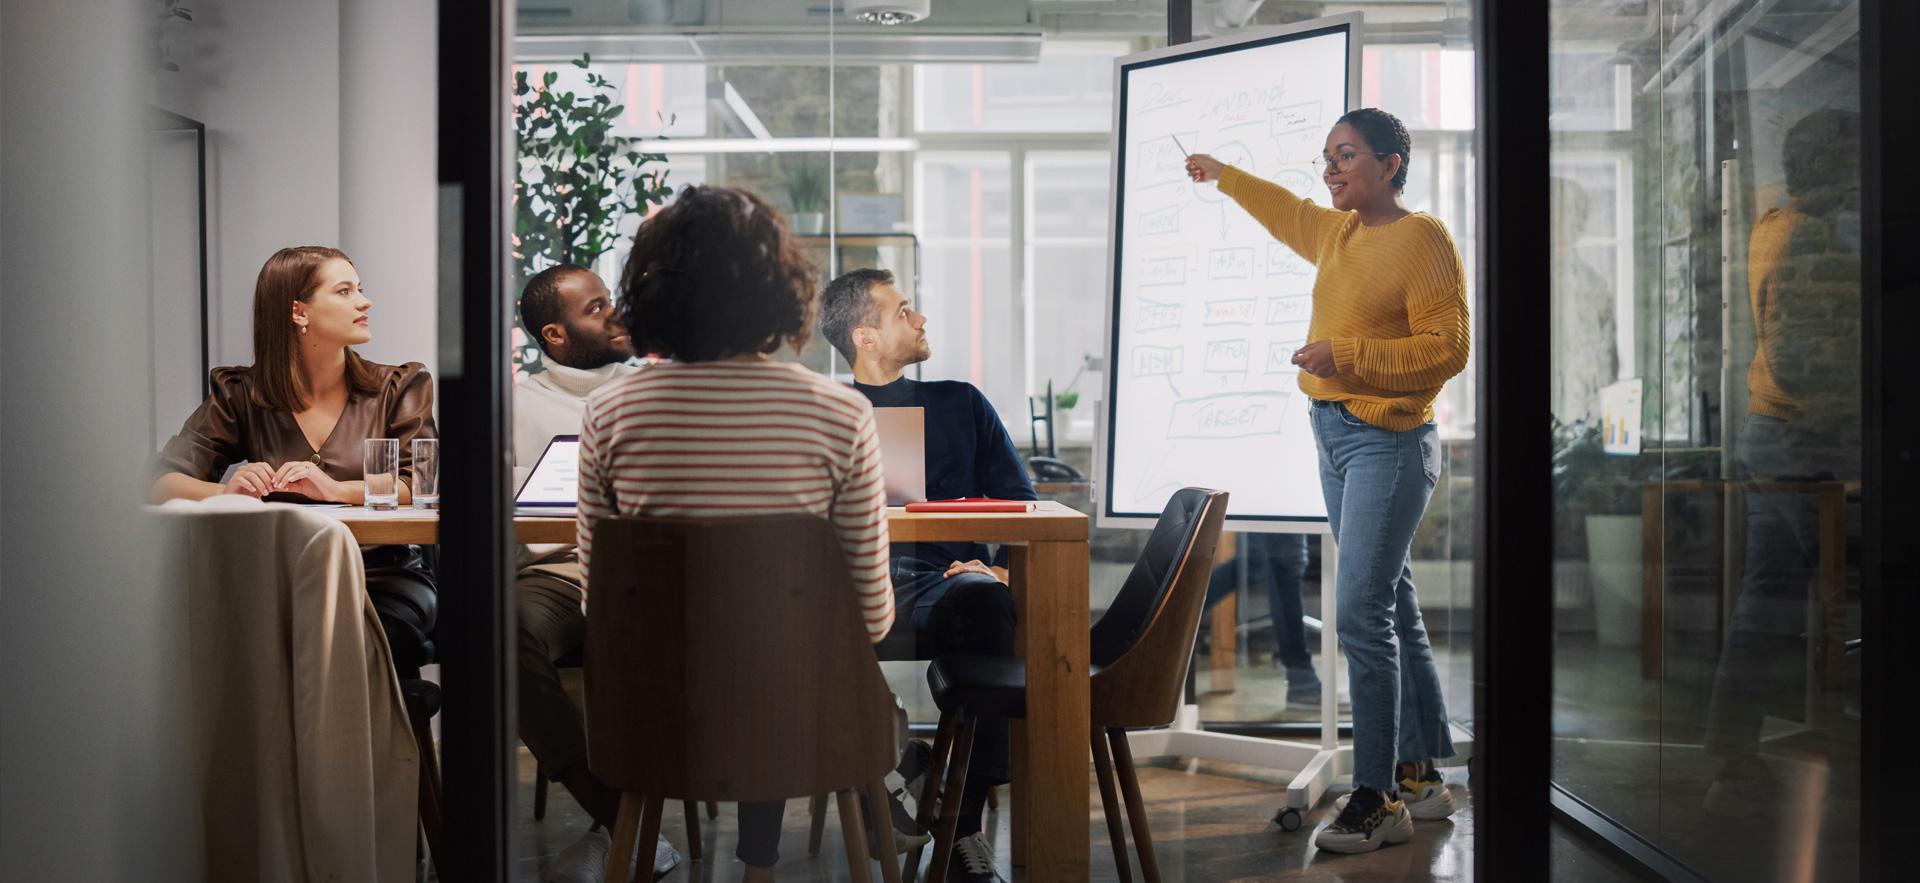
1389	329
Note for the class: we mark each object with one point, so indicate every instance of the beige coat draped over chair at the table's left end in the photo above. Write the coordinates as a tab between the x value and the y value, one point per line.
306	765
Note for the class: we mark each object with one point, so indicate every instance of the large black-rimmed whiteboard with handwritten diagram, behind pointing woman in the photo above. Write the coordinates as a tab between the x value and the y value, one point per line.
1205	306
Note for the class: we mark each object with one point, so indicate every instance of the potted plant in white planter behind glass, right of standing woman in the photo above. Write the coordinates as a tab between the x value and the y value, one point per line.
1606	490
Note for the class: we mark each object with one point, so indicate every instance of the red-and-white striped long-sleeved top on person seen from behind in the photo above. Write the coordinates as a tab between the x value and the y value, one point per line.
732	439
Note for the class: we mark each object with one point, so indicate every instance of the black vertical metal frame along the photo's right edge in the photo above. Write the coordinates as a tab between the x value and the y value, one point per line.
1890	500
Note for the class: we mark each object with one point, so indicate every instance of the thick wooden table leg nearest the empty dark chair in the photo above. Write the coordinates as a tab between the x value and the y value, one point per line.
1051	757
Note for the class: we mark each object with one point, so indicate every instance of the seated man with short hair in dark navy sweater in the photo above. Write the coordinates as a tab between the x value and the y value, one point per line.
951	598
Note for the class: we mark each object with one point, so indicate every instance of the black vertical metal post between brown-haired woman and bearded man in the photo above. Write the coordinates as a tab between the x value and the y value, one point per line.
477	519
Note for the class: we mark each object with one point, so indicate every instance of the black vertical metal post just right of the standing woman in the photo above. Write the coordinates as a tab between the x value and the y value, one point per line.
1514	504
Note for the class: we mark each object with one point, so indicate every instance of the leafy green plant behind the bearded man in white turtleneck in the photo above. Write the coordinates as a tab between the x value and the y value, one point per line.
577	179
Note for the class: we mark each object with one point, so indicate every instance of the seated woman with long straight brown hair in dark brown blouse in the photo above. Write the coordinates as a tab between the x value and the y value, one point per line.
291	425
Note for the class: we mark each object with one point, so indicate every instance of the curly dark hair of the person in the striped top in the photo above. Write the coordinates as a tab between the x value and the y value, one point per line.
717	275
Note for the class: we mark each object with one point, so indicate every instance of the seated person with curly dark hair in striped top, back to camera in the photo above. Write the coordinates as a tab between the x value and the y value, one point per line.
715	285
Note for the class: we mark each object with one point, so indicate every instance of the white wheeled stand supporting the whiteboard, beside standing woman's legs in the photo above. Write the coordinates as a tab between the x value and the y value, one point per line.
1320	767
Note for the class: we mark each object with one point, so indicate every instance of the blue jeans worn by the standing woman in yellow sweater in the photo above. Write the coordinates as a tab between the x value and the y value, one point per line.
1378	485
